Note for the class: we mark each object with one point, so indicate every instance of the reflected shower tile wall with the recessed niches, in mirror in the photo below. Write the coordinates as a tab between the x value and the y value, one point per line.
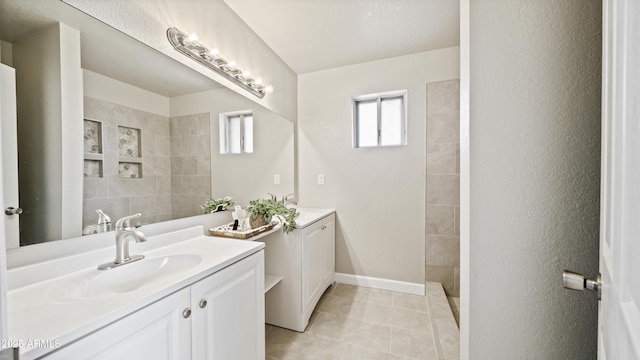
151	194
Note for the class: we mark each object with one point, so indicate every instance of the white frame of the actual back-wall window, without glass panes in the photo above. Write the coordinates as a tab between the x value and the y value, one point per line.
379	97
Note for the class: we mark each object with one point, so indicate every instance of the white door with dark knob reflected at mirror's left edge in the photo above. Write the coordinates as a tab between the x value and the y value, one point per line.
9	134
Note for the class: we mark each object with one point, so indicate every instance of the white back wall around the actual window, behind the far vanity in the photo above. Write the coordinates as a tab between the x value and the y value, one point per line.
379	194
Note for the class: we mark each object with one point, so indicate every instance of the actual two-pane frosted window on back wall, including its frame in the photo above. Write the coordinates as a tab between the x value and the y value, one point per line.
379	120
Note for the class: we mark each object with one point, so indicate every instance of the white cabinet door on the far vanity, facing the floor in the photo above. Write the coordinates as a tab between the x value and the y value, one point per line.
318	261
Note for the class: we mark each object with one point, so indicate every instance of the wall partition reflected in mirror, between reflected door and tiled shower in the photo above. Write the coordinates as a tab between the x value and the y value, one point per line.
50	145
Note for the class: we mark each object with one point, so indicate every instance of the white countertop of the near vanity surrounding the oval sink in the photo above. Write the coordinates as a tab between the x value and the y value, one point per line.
36	311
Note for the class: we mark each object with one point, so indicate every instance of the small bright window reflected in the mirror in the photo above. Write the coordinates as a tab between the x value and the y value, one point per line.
236	133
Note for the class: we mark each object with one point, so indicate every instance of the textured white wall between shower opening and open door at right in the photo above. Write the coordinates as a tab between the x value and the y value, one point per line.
533	123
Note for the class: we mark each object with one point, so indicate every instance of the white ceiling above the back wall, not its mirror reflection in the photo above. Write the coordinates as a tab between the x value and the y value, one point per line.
312	35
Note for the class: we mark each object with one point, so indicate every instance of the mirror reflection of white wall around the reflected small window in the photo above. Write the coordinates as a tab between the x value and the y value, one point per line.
244	176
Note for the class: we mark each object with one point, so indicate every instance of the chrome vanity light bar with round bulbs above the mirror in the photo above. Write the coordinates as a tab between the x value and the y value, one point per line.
190	46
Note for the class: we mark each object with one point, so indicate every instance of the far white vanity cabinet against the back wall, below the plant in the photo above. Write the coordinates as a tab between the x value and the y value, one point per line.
305	259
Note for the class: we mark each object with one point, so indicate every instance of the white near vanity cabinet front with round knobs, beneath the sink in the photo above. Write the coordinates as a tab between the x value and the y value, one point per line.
219	317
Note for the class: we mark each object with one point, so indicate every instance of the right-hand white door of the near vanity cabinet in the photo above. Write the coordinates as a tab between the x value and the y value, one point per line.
228	312
